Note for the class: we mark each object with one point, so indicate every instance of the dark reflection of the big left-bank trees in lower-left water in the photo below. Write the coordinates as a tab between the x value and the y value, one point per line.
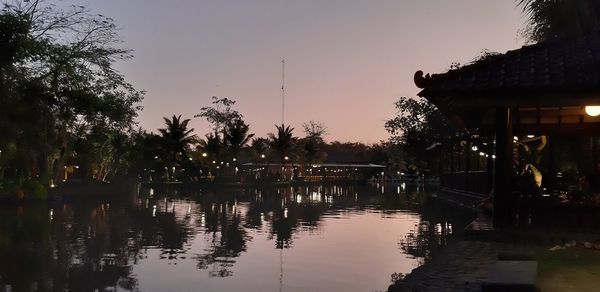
67	250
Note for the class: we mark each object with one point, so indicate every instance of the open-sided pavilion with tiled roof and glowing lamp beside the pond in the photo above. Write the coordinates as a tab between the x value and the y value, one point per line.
532	107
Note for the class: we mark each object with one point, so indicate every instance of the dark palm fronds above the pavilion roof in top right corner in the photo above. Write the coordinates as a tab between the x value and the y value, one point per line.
550	18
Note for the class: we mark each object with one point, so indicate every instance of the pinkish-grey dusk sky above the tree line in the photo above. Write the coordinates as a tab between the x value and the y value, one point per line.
346	61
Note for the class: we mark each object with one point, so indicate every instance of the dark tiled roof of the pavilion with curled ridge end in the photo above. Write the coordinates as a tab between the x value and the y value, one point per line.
553	66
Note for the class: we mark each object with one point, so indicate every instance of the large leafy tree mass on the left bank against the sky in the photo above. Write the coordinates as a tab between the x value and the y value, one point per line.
58	87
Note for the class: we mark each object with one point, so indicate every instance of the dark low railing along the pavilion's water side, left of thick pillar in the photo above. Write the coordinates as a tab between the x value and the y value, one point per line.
472	182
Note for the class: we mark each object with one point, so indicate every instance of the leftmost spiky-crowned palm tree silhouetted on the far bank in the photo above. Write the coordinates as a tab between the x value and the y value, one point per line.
176	139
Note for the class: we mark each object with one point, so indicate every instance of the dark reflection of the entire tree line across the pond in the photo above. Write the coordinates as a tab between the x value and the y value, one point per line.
94	246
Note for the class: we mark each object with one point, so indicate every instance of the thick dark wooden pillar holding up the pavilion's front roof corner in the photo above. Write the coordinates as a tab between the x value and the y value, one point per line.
504	202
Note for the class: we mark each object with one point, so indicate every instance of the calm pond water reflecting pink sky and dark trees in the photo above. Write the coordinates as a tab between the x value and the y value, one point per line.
334	238
